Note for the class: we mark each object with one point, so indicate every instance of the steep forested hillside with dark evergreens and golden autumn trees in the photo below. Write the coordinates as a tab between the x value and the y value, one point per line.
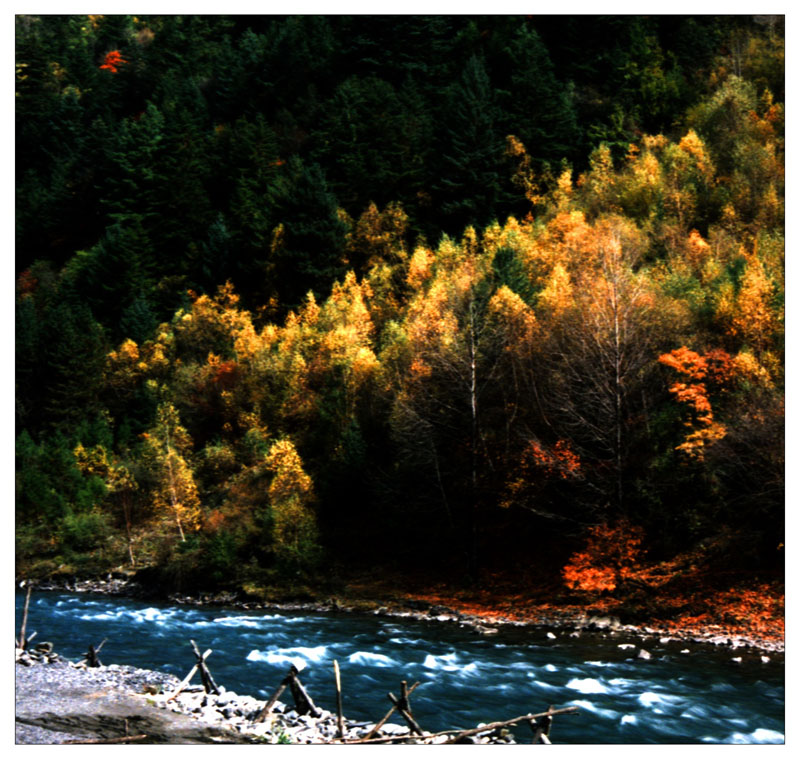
468	294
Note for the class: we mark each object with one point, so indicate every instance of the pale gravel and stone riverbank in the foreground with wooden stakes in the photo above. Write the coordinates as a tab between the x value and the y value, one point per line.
59	701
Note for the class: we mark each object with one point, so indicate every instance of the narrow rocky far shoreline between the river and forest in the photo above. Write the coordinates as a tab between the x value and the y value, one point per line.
562	622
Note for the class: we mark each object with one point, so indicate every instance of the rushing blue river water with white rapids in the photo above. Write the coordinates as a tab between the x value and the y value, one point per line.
703	696
